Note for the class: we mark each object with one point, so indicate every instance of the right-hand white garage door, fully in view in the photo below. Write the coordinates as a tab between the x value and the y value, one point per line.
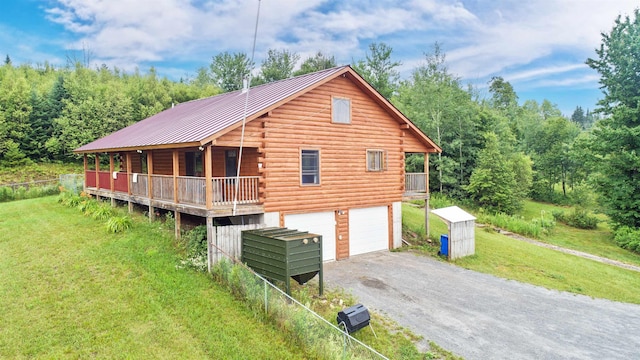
368	230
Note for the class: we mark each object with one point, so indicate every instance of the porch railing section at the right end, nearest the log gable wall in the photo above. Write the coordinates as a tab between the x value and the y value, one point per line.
224	189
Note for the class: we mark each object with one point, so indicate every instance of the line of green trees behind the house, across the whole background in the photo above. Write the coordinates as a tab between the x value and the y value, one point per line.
497	150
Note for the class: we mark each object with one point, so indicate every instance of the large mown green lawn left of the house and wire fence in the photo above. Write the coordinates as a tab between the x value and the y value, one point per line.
68	289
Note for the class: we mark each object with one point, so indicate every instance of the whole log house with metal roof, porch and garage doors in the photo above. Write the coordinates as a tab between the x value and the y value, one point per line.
322	152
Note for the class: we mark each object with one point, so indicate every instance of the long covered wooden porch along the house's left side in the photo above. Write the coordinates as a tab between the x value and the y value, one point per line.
201	181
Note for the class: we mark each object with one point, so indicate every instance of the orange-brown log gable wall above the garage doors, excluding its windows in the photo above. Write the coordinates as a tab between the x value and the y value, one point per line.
305	123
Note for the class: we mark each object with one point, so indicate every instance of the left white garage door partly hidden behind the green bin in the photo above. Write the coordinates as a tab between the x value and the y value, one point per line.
321	223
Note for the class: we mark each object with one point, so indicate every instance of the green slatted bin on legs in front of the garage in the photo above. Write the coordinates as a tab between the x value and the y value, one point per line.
281	254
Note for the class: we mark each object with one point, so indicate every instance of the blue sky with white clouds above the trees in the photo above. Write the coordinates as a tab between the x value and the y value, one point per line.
539	46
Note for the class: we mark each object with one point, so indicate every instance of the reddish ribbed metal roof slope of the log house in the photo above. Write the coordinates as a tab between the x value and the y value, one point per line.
196	120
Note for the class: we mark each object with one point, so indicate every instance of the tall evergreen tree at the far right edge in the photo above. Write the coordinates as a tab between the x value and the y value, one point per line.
616	139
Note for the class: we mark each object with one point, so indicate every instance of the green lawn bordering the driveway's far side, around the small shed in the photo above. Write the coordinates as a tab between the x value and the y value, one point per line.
513	259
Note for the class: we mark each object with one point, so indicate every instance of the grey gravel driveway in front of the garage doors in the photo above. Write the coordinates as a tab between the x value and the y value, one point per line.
480	316
